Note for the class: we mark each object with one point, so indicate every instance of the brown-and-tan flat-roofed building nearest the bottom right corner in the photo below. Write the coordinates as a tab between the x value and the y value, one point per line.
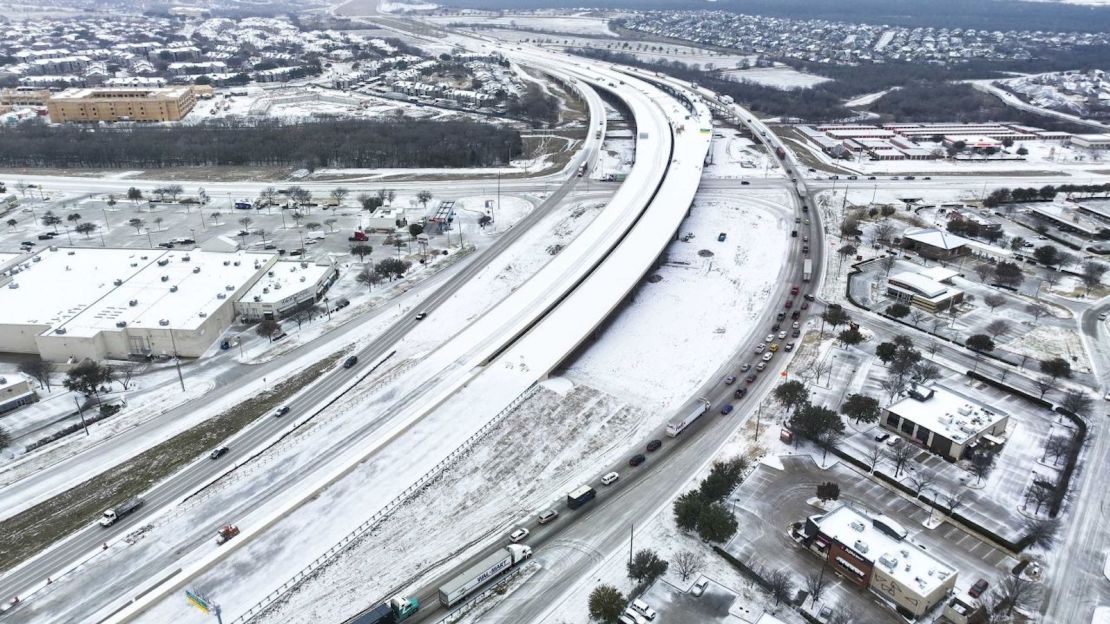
872	551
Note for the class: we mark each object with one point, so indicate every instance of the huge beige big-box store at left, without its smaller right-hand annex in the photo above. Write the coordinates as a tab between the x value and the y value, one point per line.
69	305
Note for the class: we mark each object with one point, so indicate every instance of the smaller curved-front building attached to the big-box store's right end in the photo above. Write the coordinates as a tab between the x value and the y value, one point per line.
286	288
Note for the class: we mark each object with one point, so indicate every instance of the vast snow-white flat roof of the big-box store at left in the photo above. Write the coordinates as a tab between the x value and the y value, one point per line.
86	291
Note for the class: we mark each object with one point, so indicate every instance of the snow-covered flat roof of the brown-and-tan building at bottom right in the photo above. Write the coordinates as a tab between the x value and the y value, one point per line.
904	561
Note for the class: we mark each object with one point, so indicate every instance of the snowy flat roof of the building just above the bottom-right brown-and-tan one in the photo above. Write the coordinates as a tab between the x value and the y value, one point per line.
947	414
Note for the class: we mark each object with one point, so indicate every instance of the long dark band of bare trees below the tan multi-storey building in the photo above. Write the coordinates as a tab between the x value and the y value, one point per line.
344	144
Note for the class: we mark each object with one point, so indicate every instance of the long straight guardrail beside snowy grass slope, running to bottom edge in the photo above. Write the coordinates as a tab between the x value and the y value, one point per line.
426	480
